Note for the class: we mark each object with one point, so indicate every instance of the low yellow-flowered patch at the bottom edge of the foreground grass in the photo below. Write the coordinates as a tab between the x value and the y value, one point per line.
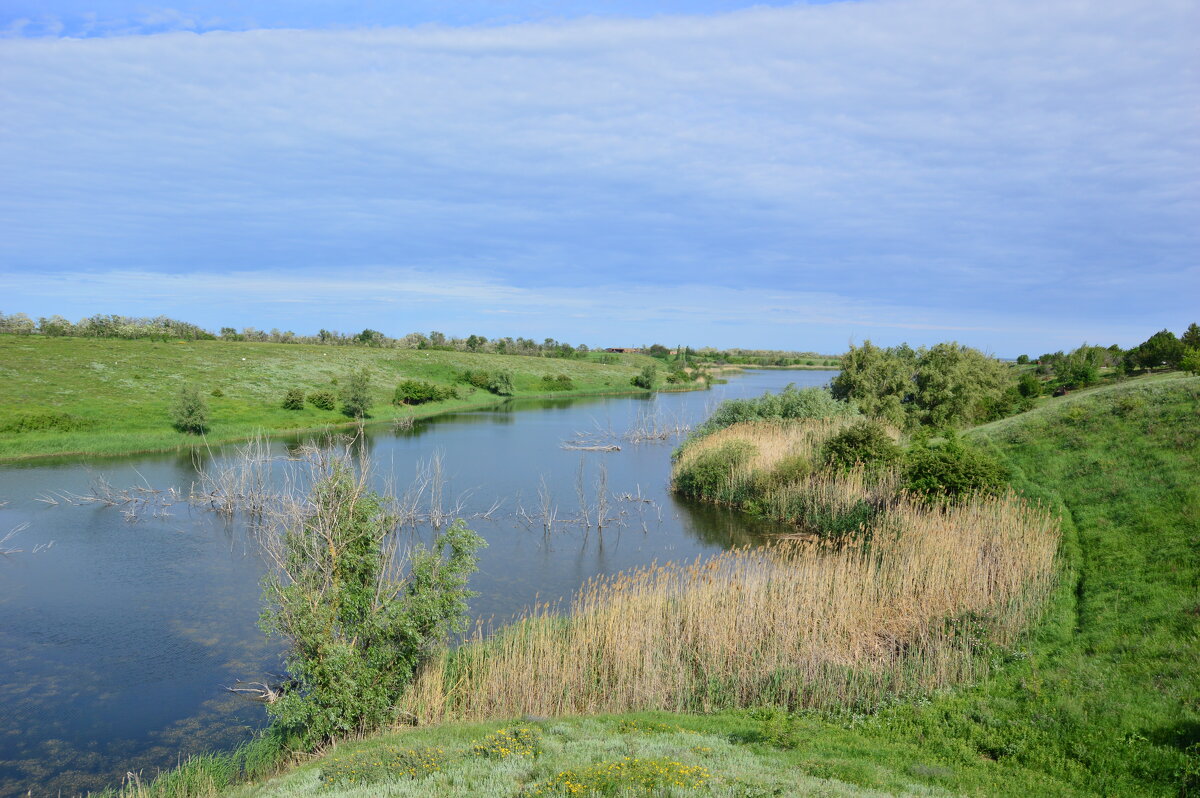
629	776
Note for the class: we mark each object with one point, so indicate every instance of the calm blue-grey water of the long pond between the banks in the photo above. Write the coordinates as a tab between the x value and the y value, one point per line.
118	629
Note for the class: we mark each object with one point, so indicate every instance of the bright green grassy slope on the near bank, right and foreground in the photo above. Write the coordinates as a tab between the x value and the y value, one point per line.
1103	701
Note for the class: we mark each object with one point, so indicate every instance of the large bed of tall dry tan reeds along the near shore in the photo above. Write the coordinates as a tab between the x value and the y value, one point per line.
793	625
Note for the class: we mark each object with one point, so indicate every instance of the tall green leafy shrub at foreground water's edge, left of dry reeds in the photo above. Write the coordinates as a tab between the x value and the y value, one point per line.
356	633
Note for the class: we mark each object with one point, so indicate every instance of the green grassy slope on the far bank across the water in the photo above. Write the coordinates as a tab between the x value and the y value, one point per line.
124	391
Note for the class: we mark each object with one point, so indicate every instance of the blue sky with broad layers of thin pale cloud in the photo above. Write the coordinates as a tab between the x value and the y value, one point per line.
1021	178
